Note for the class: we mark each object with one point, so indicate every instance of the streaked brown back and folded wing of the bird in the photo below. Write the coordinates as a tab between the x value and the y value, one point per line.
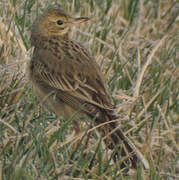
74	71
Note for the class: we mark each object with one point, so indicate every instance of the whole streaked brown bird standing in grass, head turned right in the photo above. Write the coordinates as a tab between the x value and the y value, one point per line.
67	79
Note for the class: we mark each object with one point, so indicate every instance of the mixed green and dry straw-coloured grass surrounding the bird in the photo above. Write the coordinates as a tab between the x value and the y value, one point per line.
135	43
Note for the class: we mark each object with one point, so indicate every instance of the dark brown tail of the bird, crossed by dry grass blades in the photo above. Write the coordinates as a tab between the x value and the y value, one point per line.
115	140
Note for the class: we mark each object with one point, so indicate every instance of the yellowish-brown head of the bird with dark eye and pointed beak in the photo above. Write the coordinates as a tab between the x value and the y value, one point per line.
55	22
